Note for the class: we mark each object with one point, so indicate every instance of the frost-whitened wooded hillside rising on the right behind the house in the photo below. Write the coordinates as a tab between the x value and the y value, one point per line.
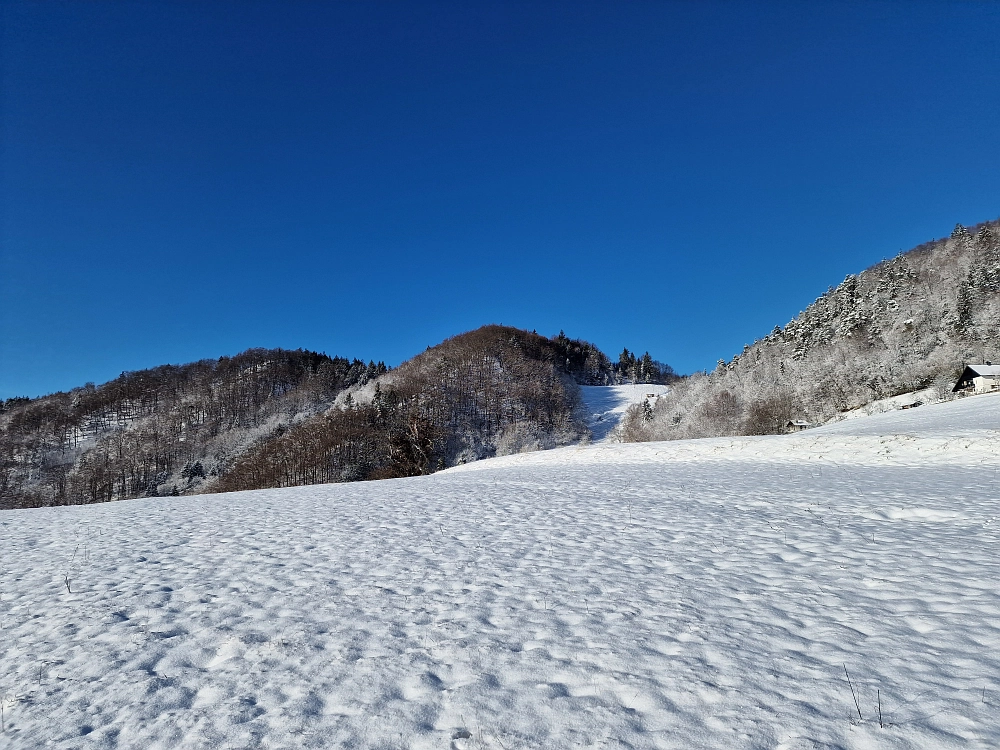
902	325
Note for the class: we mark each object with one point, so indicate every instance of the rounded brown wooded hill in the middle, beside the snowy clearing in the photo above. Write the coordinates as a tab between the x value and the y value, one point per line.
492	391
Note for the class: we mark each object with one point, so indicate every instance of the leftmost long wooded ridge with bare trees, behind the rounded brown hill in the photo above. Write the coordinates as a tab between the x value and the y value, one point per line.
160	431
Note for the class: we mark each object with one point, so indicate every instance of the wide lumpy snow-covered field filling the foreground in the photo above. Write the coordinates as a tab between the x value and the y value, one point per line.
699	594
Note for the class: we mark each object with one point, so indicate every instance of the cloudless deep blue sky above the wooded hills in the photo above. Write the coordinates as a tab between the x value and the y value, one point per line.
181	180
